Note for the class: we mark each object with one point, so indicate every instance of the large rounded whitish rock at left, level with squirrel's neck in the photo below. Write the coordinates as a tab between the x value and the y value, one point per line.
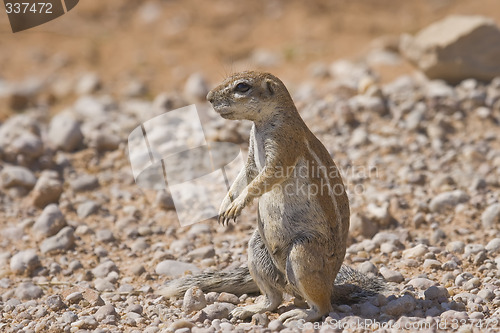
64	132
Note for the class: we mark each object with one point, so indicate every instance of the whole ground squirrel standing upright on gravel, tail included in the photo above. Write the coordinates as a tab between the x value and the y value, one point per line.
303	211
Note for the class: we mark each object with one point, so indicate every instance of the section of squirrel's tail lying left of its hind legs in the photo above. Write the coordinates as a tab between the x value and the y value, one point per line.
236	281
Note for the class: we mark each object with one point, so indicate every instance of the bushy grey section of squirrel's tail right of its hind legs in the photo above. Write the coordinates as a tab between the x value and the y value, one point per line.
352	286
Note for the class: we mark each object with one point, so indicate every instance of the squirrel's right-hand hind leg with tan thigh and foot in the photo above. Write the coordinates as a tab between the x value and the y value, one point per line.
313	278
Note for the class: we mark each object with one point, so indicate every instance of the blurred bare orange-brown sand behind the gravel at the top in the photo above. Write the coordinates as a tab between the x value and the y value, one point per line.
158	44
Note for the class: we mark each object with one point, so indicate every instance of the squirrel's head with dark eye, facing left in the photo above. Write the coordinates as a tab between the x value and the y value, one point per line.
250	95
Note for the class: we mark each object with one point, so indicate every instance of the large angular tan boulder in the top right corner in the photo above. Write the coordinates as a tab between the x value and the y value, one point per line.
456	48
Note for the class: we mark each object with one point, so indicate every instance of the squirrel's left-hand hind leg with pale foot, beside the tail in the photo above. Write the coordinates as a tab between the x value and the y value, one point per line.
267	277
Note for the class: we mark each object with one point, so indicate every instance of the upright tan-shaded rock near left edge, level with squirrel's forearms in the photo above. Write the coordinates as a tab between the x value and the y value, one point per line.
48	189
